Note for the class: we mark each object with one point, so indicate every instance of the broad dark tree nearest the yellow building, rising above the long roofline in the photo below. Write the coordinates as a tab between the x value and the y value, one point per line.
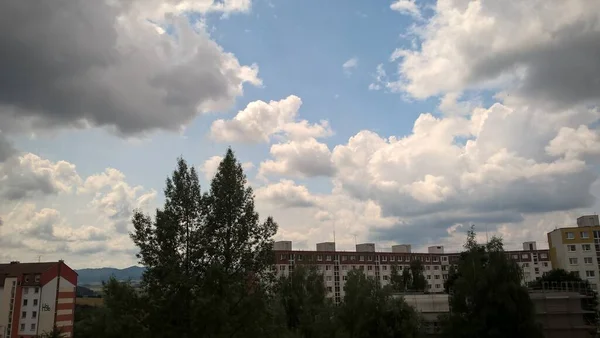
487	295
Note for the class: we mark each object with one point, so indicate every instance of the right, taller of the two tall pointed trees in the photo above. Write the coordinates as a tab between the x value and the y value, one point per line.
238	247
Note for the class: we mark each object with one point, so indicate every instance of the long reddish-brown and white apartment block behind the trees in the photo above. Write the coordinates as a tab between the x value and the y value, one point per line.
335	265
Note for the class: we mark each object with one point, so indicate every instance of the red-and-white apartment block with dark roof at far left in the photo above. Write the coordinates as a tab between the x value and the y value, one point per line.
35	297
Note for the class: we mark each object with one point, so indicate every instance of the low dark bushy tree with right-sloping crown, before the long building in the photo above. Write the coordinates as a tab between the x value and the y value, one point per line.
369	310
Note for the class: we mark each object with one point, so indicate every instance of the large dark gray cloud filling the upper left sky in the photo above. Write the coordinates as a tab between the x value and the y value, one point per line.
71	63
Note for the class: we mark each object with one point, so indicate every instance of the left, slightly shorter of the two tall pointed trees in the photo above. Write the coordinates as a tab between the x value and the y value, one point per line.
172	253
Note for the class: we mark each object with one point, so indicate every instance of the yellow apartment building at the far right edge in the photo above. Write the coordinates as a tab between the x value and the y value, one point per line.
577	248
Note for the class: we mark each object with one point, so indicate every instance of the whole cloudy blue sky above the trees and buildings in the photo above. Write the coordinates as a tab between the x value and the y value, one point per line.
392	122
